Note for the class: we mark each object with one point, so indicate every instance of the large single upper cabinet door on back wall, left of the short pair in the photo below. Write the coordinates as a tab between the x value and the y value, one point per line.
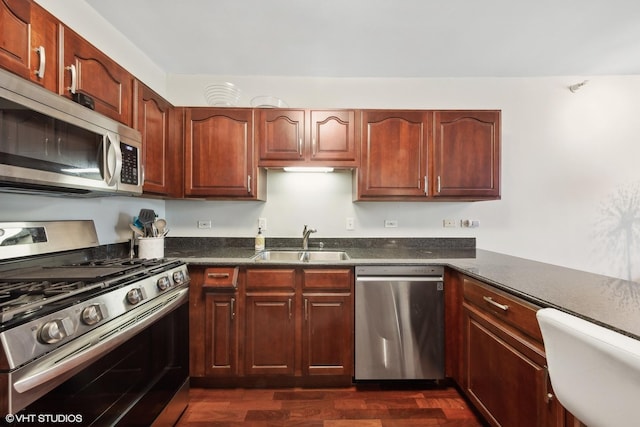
219	152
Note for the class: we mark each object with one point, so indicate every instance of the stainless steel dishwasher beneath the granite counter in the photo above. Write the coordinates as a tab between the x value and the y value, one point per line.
399	323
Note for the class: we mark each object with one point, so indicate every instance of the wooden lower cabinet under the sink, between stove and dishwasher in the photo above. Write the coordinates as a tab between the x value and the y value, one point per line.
278	326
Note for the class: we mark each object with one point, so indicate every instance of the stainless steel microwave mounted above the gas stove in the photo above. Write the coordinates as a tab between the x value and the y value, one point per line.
51	145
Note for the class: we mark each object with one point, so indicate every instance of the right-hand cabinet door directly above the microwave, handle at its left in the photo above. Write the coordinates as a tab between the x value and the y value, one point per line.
85	69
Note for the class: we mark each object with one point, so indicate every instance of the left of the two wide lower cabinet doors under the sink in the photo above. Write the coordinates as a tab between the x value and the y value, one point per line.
270	334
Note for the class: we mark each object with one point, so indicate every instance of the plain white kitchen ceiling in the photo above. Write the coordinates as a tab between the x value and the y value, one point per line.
383	38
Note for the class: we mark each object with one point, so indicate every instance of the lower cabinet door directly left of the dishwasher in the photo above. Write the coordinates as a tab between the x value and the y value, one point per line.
327	339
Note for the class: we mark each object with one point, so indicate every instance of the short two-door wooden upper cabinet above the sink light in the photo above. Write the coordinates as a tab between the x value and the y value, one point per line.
306	137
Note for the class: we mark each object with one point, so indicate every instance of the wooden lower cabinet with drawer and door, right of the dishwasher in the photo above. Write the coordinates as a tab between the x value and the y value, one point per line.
504	373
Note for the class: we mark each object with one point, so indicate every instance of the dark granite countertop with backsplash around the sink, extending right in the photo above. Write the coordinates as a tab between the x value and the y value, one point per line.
610	302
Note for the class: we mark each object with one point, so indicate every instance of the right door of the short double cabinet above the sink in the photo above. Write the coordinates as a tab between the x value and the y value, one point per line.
333	136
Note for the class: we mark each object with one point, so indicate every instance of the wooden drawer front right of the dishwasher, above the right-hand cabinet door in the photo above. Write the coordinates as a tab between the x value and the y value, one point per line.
514	311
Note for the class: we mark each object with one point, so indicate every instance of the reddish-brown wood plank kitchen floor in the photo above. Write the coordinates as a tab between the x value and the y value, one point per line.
369	406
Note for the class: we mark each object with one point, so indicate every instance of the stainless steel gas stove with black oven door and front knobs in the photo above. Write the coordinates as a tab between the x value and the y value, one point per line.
101	340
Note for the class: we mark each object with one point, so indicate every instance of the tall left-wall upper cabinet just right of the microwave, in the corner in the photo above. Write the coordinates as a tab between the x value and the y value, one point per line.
160	126
